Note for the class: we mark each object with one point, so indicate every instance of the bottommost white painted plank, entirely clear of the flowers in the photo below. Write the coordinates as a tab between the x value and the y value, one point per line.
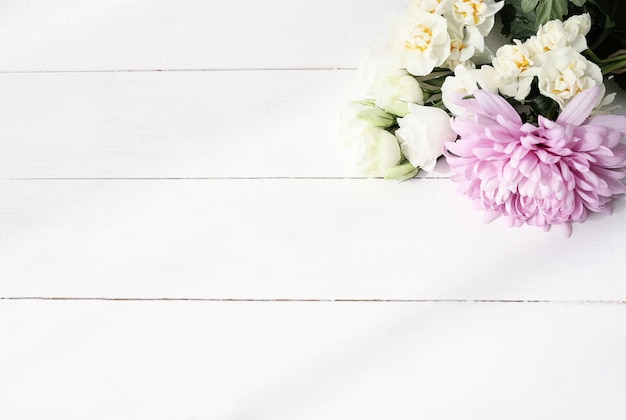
334	361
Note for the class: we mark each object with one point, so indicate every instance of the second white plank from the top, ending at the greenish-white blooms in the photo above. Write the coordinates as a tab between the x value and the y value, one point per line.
181	124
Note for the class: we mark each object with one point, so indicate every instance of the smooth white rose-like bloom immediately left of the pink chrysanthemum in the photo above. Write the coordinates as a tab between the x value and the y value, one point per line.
422	135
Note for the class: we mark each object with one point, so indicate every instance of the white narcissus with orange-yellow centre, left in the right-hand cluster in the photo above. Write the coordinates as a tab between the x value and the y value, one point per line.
515	70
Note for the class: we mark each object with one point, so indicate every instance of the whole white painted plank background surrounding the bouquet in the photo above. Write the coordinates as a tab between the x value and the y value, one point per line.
183	236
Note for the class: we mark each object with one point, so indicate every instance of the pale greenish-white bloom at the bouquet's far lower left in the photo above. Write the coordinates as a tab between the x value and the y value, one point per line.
377	150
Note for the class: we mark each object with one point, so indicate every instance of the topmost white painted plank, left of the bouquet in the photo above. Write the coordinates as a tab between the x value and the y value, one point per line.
61	35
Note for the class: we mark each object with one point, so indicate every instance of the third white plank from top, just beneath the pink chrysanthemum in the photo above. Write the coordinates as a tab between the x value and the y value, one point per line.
292	239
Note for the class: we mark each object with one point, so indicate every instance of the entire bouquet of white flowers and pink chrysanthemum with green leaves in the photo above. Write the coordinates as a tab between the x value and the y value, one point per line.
527	129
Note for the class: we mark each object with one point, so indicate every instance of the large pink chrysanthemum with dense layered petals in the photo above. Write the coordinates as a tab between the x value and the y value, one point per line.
553	174
